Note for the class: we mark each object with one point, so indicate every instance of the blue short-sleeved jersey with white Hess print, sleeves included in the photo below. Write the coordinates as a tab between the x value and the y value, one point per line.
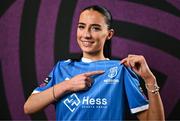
107	97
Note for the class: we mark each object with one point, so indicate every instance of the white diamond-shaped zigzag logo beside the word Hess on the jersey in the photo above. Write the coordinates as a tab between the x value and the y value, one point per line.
72	102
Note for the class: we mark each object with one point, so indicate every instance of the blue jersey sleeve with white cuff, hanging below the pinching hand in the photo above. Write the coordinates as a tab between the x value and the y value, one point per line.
136	99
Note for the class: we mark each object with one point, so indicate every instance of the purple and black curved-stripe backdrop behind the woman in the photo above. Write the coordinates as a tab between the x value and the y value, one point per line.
34	34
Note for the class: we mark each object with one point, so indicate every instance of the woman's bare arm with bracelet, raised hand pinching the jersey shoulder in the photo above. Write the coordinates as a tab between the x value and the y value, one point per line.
139	65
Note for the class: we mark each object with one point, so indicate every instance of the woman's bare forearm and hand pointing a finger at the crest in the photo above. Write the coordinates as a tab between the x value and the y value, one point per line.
39	101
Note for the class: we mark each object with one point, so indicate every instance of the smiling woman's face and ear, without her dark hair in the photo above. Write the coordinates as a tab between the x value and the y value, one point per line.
92	32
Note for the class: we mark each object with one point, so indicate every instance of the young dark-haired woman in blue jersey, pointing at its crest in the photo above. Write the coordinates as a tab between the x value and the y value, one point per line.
96	88
